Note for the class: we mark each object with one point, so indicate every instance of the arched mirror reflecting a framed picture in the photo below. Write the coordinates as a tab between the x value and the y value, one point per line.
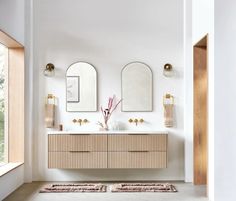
81	87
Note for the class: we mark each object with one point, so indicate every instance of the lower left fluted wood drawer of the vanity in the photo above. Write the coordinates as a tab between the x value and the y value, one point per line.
72	160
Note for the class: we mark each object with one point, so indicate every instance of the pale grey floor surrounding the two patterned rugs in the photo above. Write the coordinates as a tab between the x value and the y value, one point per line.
187	192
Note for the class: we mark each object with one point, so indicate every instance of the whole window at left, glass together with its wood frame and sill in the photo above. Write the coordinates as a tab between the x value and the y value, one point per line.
12	103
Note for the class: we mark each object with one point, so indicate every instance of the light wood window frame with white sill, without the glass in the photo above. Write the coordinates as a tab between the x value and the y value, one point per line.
14	104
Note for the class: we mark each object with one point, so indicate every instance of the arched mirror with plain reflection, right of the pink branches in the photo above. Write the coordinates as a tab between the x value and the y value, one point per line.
136	87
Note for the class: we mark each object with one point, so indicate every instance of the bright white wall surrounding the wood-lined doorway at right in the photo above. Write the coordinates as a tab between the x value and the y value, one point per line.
202	24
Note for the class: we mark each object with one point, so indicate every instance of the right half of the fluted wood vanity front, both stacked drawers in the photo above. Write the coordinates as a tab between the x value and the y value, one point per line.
137	151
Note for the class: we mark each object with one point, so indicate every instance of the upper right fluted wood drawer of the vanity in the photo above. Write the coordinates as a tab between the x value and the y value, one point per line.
137	142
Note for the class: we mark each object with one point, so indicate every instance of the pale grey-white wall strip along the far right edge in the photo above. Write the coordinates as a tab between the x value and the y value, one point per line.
225	94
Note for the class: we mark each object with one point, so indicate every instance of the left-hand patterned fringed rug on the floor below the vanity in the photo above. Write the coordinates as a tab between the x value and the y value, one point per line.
74	188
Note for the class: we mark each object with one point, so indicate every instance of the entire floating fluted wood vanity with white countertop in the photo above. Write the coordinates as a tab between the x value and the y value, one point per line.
118	149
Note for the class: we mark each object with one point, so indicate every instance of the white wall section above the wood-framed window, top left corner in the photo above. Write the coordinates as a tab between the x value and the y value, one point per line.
12	18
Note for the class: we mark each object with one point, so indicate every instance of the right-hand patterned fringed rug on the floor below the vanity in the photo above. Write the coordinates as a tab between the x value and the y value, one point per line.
143	187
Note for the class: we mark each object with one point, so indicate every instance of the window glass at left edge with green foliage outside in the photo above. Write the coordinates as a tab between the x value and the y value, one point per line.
3	104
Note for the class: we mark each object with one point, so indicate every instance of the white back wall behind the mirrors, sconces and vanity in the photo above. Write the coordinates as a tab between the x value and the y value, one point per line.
109	34
